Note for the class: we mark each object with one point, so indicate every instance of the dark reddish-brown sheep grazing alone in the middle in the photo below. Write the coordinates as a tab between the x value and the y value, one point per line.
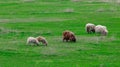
69	36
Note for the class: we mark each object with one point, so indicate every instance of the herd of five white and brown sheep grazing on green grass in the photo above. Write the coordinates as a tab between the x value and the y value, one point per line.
70	36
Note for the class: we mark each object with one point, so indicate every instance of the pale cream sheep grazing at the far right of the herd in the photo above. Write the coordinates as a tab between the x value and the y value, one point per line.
101	30
